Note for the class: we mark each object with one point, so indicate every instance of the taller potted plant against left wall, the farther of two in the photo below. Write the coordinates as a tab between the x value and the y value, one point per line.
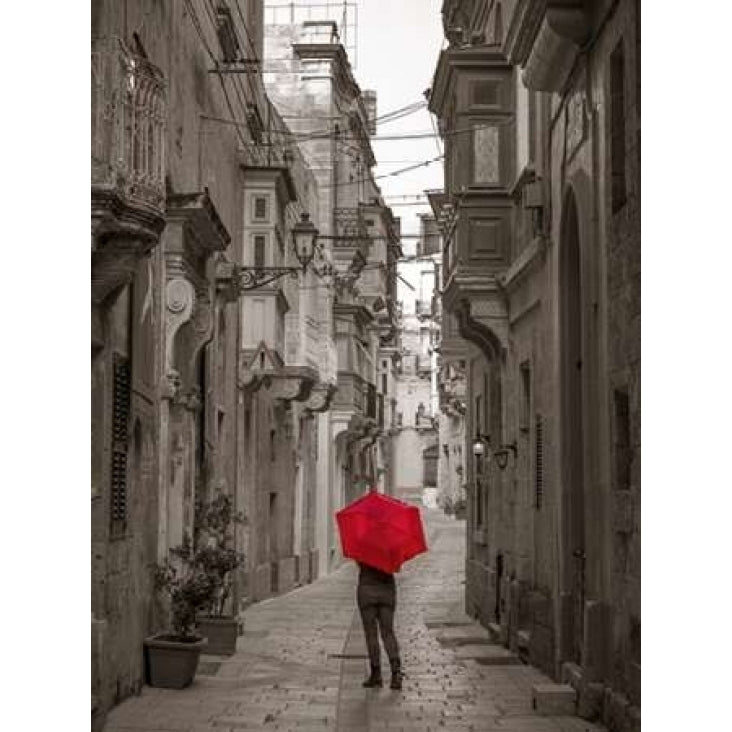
217	556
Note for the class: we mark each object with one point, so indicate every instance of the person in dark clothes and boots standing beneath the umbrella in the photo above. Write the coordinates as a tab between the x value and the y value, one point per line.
376	597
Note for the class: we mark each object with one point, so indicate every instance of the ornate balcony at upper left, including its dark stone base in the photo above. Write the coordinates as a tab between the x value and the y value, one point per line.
127	163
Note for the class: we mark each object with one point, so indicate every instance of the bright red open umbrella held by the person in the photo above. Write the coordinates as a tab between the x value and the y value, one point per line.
381	531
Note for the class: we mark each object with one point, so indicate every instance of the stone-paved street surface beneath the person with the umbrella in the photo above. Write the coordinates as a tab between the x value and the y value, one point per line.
301	661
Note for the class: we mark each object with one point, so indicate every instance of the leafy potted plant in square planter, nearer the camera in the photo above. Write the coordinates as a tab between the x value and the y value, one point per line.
172	658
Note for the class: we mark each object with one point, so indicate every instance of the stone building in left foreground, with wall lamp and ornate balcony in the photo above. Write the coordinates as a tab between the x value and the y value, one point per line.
205	377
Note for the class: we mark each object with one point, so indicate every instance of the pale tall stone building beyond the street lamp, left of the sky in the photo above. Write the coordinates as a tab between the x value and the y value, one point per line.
311	83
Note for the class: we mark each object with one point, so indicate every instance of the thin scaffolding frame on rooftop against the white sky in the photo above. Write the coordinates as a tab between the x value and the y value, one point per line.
343	13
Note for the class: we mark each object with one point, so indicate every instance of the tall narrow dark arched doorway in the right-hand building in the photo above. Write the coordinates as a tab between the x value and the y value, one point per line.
572	435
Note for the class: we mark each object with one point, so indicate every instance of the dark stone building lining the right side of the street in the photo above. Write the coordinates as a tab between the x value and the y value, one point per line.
539	107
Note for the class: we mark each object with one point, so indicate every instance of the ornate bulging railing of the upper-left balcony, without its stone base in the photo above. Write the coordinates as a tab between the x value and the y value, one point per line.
128	123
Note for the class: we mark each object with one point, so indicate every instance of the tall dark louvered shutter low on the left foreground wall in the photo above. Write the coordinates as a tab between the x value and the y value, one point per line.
120	428
